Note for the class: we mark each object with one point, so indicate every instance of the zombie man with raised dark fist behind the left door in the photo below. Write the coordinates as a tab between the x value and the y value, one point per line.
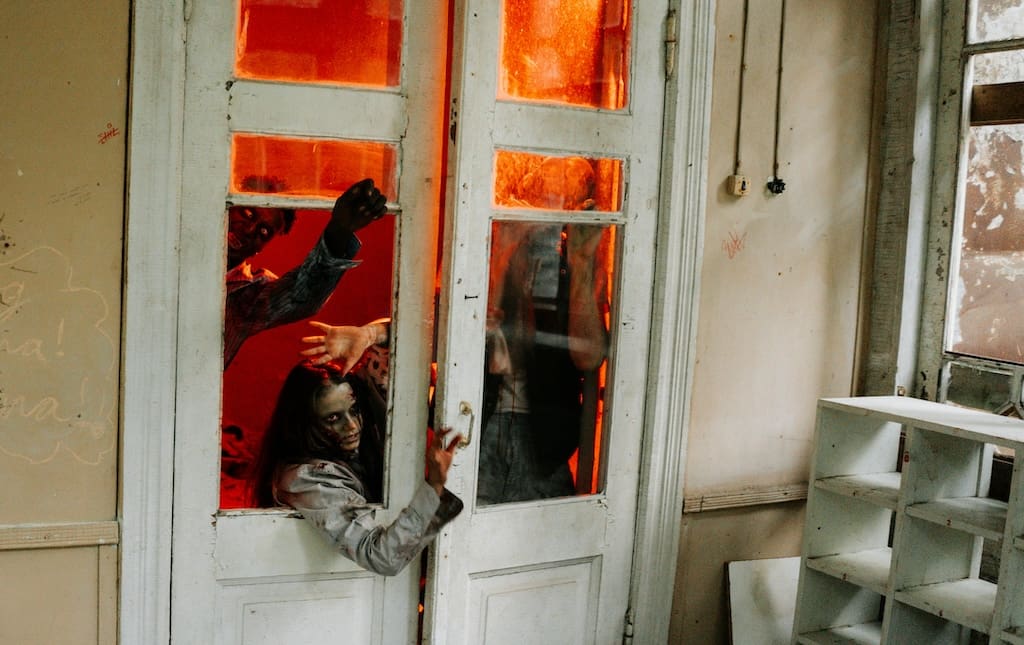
257	299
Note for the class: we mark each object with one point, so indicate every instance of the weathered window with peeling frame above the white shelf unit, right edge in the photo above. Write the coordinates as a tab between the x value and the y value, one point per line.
983	345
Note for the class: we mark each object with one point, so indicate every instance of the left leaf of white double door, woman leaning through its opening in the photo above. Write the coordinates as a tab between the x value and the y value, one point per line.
247	577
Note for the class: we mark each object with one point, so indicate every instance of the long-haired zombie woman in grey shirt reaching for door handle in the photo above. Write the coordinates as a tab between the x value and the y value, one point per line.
323	455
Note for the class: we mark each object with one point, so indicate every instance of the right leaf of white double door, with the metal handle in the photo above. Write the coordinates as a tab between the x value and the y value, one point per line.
551	571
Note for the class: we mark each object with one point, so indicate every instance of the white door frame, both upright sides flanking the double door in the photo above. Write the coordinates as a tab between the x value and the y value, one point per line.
150	342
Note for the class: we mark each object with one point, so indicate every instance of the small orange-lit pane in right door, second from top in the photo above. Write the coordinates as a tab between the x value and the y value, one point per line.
526	181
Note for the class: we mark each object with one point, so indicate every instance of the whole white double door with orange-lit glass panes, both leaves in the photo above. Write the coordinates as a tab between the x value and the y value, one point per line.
498	132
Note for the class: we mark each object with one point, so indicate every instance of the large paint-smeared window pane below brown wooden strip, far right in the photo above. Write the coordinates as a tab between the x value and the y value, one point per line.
989	297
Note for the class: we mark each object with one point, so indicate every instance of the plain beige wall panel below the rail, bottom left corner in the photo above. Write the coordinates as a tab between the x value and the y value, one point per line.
54	596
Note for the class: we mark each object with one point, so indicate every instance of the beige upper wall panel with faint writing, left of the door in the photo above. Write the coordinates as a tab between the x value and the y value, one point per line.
62	177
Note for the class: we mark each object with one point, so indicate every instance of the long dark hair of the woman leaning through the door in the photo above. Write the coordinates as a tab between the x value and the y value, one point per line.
294	437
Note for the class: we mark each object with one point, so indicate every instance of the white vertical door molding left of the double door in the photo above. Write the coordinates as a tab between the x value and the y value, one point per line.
151	296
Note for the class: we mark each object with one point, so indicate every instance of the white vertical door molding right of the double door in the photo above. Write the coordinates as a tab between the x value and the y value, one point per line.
685	181
